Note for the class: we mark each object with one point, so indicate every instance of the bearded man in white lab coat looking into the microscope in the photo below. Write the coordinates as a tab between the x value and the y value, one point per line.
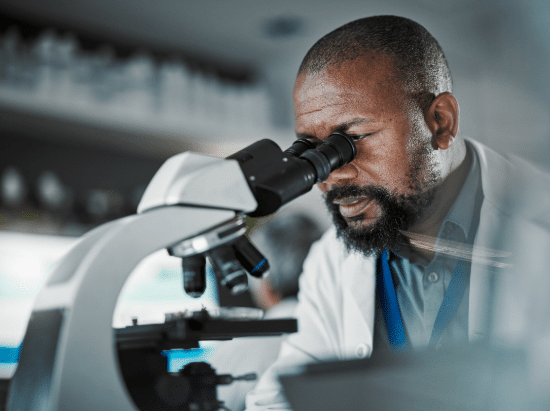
412	213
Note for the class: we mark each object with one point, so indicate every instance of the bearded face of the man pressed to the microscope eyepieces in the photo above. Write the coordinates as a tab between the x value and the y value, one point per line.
392	179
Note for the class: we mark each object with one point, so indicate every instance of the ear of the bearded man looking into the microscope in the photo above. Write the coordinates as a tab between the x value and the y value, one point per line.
442	120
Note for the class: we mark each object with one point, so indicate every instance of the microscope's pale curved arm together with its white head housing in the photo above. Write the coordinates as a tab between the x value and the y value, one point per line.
69	359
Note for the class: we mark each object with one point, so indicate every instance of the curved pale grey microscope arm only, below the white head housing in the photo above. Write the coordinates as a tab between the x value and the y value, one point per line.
69	359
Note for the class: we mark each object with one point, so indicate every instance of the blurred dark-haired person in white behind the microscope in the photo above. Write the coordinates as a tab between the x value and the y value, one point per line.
285	241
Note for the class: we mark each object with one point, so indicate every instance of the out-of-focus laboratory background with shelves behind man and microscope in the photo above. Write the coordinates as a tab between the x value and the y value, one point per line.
95	95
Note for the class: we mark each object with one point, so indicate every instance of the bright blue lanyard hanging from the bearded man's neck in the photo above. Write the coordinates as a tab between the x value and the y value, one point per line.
390	307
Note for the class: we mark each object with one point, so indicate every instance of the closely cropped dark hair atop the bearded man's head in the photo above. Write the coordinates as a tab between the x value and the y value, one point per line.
418	57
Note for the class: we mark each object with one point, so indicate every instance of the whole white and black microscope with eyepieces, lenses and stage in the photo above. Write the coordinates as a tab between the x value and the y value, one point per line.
194	207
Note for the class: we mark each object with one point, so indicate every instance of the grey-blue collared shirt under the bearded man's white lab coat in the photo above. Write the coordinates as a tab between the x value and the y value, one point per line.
421	285
